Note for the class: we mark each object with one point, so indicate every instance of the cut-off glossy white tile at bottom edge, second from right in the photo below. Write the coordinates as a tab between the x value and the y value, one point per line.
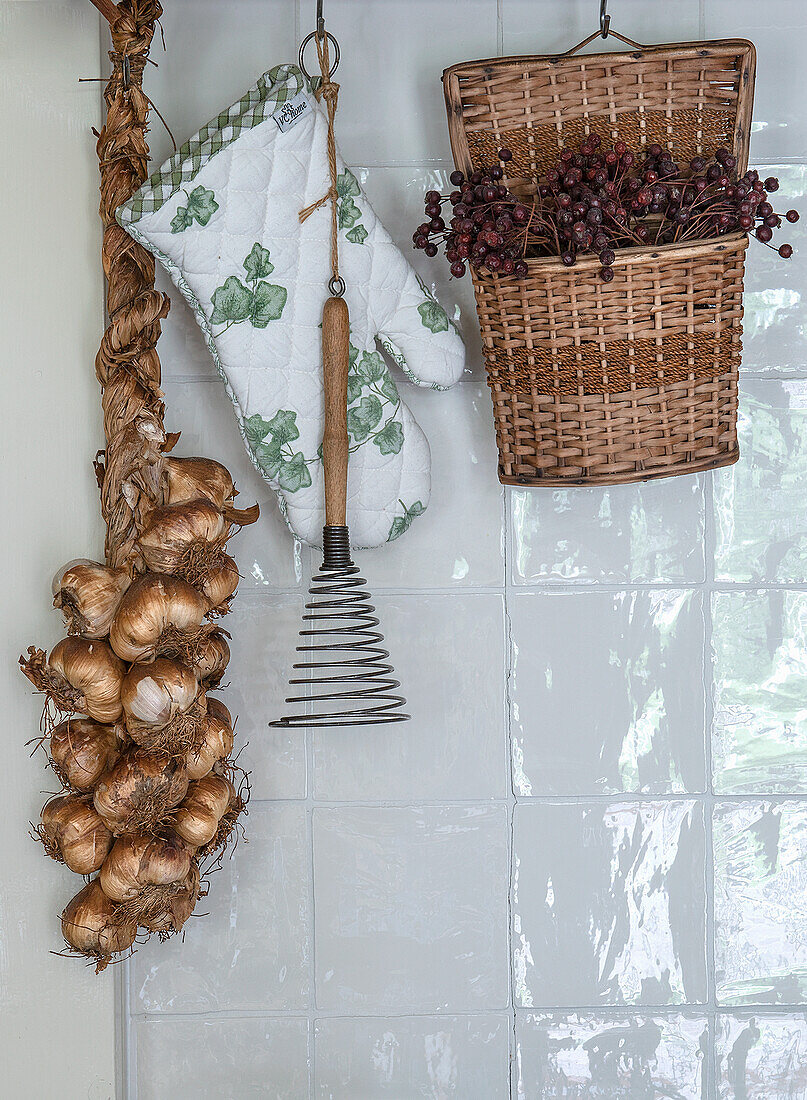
616	1055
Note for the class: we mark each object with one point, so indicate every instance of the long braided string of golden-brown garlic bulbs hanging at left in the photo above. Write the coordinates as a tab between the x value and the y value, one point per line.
136	735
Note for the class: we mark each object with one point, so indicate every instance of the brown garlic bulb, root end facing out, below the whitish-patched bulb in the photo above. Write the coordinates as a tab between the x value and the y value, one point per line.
140	791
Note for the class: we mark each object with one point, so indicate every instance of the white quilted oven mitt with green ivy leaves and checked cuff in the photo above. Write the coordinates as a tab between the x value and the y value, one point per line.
223	216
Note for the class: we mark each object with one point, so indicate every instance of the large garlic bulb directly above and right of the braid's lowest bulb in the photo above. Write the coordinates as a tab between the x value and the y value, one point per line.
137	864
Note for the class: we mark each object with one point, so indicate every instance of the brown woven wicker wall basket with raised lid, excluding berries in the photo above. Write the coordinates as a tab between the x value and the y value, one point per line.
593	382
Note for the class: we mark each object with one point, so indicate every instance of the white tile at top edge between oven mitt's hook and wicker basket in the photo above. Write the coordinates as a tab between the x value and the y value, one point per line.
391	104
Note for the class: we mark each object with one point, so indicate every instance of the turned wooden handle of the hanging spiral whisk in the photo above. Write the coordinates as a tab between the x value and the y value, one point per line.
336	362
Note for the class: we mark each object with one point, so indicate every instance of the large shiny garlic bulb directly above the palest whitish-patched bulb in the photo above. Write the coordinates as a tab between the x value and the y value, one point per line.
157	611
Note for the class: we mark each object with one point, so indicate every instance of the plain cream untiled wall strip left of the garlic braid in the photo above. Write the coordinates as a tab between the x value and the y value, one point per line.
57	1018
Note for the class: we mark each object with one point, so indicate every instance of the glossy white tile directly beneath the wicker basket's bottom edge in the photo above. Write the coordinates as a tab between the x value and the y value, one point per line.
640	534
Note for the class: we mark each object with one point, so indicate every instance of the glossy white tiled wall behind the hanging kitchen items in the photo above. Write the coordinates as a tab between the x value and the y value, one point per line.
581	871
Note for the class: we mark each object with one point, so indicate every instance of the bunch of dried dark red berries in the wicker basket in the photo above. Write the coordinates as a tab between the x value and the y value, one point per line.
596	201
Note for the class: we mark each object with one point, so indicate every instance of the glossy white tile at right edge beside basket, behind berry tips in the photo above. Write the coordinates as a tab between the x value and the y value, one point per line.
775	333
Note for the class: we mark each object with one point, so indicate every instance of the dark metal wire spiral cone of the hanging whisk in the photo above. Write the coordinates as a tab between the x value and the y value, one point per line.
345	656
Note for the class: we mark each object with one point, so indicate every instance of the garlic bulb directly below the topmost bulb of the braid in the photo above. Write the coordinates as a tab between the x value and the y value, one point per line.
180	533
